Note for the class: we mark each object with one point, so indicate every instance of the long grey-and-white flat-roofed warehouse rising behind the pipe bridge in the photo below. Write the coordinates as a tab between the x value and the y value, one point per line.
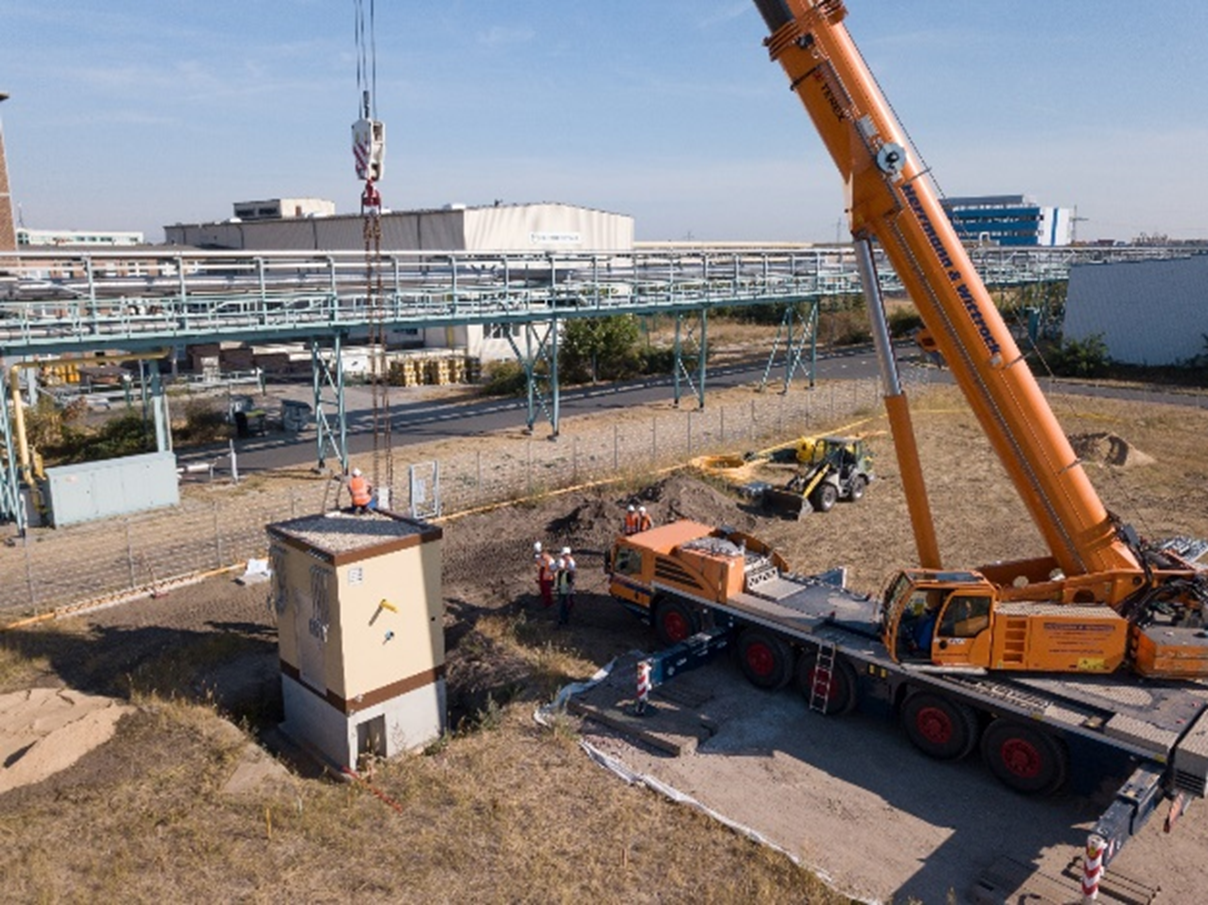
506	228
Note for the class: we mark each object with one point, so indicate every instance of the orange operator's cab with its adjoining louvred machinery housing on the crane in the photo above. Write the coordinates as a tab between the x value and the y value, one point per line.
956	619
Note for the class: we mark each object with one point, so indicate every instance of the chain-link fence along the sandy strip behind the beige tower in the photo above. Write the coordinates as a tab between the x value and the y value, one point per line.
220	525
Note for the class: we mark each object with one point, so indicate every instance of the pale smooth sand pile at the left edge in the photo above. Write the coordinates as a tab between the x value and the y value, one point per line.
47	730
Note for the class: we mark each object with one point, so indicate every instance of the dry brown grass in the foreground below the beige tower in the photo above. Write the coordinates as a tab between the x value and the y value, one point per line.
513	814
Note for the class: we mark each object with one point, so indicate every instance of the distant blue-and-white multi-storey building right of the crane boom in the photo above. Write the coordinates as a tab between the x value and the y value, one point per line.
1009	221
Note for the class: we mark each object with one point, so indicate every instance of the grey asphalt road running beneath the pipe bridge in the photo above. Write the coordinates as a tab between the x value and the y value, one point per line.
423	421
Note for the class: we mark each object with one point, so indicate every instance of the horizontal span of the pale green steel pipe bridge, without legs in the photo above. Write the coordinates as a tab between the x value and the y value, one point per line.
56	301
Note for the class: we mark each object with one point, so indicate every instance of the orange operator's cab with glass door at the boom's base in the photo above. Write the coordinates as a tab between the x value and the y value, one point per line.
939	618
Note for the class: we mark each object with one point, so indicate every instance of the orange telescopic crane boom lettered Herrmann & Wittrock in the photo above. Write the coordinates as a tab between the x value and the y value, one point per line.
891	199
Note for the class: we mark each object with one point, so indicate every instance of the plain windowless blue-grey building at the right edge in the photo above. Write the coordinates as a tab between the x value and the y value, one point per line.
1148	312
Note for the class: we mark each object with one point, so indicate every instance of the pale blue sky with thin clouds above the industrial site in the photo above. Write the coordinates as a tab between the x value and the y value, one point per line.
137	114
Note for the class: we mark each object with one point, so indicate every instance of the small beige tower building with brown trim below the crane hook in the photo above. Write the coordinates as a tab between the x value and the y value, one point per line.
361	633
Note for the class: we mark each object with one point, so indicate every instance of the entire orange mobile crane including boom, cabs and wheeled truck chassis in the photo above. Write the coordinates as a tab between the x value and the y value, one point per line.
1089	652
